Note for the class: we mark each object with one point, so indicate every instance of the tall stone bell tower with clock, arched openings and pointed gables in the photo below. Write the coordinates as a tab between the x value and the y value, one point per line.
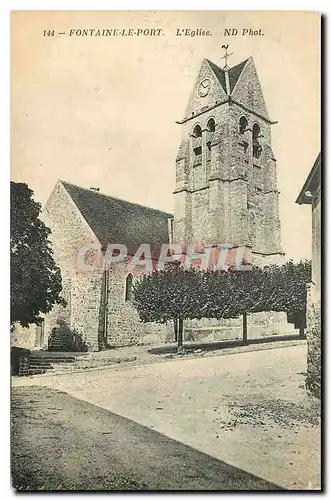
226	174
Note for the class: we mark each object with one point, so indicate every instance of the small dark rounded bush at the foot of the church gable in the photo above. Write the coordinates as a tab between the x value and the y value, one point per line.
63	339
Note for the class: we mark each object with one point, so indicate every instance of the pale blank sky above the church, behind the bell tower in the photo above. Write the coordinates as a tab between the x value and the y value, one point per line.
101	111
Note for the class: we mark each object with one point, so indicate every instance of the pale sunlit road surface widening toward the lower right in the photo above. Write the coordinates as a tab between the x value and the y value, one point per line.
247	410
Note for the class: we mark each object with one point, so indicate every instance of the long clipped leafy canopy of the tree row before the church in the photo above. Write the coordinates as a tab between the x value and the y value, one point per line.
178	293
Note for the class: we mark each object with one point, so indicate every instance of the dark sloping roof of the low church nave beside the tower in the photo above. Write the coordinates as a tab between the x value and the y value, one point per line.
118	221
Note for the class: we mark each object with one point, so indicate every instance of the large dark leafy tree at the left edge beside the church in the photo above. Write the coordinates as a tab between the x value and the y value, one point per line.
35	279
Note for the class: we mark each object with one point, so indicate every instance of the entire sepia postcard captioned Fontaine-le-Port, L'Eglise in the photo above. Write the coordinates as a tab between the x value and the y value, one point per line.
165	250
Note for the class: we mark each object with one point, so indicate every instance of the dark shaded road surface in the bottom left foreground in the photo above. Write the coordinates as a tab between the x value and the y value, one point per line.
61	443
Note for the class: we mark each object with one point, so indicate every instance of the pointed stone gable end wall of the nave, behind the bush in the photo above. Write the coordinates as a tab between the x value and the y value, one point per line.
81	288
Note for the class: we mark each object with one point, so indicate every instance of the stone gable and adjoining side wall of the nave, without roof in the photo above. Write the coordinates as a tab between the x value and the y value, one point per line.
96	305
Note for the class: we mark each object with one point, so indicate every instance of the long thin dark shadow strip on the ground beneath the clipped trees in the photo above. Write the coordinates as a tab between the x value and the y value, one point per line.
213	346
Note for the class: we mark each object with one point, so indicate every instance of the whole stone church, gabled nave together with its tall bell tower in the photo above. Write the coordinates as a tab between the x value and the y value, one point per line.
226	192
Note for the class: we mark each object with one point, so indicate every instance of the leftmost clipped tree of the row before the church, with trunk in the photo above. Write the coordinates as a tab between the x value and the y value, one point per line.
169	295
